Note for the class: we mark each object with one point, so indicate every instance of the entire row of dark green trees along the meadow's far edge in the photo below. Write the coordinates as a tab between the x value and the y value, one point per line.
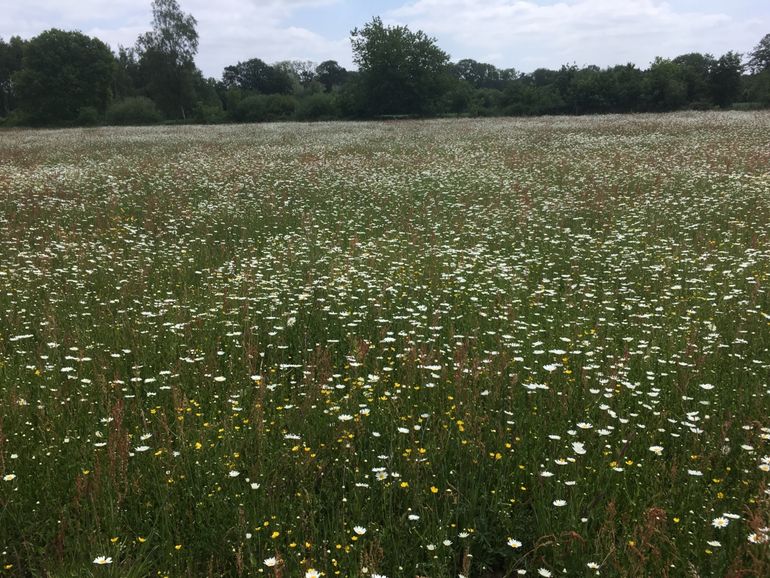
65	78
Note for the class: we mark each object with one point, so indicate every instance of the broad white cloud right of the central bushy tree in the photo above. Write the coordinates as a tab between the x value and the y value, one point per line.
527	34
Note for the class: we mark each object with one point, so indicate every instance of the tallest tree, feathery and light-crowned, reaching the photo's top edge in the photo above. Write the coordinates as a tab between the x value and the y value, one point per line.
166	58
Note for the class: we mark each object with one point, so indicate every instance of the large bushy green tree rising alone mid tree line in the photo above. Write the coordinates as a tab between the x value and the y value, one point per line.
402	72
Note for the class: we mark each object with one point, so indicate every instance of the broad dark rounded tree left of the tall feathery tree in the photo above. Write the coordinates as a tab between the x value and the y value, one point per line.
62	73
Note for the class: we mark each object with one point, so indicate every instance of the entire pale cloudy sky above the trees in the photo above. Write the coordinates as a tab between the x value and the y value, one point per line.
520	34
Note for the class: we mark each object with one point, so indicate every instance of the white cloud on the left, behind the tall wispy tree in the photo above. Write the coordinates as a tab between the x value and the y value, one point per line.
229	30
